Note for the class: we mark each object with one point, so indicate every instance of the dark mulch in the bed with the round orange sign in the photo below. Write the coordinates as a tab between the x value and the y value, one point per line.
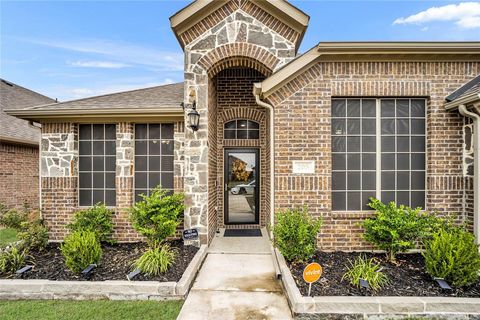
406	278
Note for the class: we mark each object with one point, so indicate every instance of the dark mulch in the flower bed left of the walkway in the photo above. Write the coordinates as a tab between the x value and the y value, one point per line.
116	263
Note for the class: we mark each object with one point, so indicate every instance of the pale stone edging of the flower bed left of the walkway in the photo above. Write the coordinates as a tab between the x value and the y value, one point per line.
13	289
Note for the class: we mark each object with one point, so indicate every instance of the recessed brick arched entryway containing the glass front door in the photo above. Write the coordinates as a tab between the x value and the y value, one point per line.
239	171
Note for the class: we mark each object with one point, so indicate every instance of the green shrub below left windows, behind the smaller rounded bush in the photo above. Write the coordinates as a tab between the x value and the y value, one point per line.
97	219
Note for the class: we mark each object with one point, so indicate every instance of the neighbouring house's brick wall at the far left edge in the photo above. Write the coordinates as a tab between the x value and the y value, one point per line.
18	175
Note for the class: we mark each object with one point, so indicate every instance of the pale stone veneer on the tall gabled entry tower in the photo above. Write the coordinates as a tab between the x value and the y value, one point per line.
245	36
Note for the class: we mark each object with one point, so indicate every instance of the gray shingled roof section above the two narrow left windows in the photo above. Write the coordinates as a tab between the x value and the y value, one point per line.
170	95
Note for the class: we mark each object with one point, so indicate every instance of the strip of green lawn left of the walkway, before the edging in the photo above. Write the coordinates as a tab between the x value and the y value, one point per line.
73	310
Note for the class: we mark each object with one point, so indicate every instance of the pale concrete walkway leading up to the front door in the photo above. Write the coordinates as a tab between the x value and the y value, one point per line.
237	281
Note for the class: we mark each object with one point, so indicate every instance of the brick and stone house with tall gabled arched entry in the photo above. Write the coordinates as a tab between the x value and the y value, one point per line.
241	63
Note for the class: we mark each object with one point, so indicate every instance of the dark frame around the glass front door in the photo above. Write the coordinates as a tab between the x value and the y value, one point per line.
225	183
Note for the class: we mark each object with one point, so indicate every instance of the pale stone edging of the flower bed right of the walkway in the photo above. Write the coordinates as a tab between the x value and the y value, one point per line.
372	305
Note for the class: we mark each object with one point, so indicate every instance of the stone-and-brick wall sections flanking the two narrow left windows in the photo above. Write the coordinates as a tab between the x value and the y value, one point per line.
59	158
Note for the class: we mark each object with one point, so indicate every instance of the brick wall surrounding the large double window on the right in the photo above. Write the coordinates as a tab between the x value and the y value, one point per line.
303	106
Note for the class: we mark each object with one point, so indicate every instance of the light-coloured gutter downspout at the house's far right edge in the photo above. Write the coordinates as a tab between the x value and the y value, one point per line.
476	167
